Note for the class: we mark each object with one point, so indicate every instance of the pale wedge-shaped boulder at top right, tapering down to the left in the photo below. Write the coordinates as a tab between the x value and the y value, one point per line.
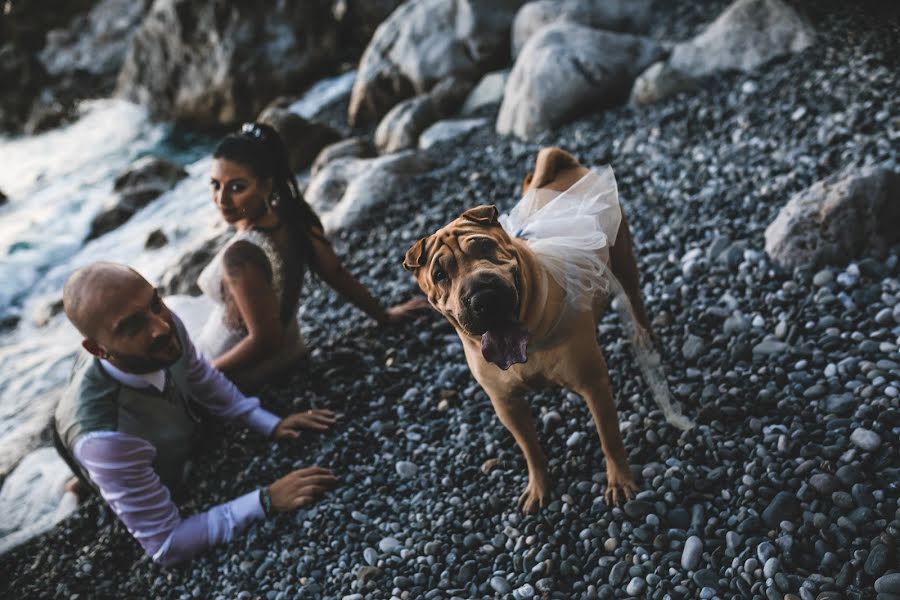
746	36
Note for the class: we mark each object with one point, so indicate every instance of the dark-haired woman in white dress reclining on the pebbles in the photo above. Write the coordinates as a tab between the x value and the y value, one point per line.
246	321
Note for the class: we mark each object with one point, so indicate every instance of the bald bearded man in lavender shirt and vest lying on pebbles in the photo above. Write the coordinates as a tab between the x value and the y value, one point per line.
129	418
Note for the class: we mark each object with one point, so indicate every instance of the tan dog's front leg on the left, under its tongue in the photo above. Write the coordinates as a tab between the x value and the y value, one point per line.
515	413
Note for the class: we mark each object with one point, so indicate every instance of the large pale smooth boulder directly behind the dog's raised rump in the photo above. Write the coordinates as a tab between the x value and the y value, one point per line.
566	68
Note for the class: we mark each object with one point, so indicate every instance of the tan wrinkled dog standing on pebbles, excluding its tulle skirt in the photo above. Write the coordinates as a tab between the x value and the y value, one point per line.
491	287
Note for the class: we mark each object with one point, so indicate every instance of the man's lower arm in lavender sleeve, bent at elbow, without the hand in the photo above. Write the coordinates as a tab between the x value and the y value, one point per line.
120	465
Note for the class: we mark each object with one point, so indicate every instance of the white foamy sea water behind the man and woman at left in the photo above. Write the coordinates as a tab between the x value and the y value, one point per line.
56	183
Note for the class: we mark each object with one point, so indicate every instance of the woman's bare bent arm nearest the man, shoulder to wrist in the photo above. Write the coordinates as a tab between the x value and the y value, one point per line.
247	279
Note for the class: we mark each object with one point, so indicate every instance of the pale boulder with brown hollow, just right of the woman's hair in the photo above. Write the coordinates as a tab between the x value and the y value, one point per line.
347	189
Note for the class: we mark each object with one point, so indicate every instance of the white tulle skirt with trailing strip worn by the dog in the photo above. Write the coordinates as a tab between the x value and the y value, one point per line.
570	233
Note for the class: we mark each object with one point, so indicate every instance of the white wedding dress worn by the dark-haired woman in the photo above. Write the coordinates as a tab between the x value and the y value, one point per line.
205	316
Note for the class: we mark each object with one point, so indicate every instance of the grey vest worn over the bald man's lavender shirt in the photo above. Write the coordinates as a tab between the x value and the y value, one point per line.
94	401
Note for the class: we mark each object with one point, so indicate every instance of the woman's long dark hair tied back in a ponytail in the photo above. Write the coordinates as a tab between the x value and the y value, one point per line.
258	147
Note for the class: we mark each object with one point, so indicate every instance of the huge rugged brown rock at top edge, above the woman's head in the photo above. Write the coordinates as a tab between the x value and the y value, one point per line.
215	64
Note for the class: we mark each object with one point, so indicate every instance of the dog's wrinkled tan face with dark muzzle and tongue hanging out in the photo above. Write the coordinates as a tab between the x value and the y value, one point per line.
469	270
